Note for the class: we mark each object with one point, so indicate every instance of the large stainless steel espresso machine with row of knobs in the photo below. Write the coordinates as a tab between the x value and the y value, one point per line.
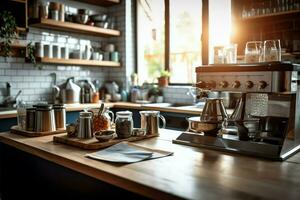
266	119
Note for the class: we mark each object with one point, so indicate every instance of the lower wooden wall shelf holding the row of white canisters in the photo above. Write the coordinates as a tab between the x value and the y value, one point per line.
77	62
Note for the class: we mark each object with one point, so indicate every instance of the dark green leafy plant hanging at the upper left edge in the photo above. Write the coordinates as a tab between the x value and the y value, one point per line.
8	31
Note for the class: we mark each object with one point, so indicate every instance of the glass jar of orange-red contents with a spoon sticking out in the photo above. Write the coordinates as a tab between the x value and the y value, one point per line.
102	121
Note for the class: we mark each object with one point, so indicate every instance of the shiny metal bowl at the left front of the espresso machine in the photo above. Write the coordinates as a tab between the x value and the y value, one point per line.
206	127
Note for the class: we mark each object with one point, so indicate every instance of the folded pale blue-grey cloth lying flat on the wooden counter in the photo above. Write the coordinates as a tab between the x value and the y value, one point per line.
126	152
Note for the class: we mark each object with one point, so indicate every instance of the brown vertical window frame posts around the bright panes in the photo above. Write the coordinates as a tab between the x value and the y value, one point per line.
204	36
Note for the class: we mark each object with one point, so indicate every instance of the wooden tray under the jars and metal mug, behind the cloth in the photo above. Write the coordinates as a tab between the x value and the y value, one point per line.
93	143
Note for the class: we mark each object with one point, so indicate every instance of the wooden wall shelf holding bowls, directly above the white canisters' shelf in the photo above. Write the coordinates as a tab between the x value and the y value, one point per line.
73	27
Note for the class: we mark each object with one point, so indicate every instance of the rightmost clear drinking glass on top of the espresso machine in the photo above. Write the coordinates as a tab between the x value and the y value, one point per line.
272	50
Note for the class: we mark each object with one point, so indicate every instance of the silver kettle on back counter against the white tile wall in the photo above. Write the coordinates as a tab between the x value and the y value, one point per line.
69	91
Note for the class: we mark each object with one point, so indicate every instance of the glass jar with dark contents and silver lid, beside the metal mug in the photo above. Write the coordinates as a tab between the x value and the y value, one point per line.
124	124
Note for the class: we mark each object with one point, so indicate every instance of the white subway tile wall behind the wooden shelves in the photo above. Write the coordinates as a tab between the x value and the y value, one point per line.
36	84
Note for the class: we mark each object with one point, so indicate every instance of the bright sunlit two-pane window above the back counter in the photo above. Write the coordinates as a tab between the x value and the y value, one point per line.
169	37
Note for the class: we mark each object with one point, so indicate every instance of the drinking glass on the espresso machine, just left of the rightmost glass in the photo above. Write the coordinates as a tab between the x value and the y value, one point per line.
253	52
